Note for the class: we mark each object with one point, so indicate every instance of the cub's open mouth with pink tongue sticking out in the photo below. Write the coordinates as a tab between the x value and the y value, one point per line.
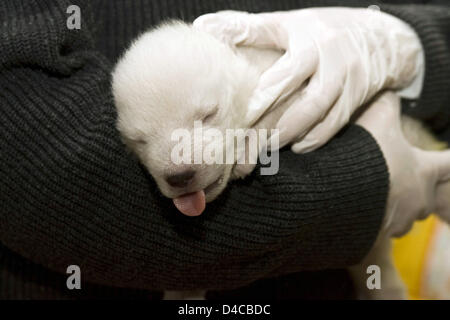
193	204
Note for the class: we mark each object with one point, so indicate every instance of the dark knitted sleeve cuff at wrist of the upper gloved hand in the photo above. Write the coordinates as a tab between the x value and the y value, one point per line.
432	24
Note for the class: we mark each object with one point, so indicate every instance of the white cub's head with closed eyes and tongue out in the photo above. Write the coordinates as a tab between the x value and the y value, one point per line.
172	83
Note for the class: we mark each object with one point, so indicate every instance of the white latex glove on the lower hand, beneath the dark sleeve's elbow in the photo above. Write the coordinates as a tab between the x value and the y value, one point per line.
419	180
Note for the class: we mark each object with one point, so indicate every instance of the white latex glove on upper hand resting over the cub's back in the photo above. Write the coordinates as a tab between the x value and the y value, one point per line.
348	54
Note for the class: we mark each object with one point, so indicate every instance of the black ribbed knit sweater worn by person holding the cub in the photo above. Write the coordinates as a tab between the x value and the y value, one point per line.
70	193
